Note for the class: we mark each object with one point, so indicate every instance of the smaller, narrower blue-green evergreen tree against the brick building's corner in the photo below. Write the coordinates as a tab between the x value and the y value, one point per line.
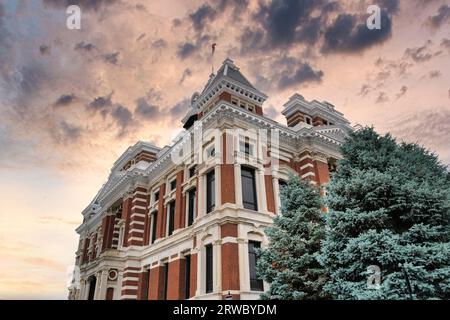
290	264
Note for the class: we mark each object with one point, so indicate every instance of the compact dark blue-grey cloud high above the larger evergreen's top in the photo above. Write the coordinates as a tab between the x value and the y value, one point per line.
350	34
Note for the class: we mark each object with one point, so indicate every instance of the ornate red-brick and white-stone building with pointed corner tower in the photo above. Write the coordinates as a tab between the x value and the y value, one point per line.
183	221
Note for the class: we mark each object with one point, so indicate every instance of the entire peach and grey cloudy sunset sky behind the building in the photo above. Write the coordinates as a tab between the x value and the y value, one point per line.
71	101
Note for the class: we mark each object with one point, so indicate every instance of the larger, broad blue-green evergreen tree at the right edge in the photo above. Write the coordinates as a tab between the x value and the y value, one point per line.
389	206
